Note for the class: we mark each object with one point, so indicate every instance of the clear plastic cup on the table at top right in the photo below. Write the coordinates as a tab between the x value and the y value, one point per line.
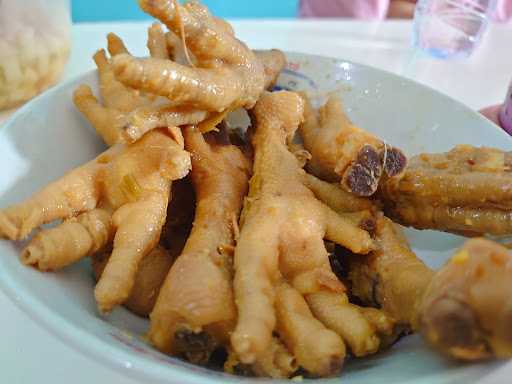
450	28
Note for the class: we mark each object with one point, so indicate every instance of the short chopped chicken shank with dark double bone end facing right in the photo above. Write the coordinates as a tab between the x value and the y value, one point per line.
342	151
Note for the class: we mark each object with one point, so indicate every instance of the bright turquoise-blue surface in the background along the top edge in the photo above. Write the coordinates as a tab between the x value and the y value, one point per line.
103	10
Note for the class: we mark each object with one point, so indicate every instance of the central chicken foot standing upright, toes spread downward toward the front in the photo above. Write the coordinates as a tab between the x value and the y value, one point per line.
281	242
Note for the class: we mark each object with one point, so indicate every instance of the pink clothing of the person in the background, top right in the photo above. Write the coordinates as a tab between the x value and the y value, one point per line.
375	9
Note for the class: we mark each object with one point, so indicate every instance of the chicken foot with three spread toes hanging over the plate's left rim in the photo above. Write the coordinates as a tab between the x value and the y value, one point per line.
122	193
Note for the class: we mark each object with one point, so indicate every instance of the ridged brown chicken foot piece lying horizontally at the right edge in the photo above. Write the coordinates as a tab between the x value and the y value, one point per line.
466	190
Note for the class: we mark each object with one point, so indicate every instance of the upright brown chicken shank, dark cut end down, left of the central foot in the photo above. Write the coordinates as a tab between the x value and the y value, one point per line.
197	295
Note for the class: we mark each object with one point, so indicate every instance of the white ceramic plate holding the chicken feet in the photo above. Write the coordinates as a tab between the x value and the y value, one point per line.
48	136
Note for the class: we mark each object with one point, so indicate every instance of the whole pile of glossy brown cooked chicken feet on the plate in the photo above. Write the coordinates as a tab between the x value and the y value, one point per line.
230	241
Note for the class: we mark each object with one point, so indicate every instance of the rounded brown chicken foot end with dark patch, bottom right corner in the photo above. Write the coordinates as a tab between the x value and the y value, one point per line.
467	309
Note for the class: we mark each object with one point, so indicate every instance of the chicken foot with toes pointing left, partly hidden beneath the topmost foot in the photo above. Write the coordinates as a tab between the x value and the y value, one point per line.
127	113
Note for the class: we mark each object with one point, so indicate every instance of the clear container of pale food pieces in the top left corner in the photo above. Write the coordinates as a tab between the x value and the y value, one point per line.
35	39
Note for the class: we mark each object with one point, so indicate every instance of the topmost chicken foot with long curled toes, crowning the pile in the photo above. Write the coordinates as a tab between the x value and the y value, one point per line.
227	74
